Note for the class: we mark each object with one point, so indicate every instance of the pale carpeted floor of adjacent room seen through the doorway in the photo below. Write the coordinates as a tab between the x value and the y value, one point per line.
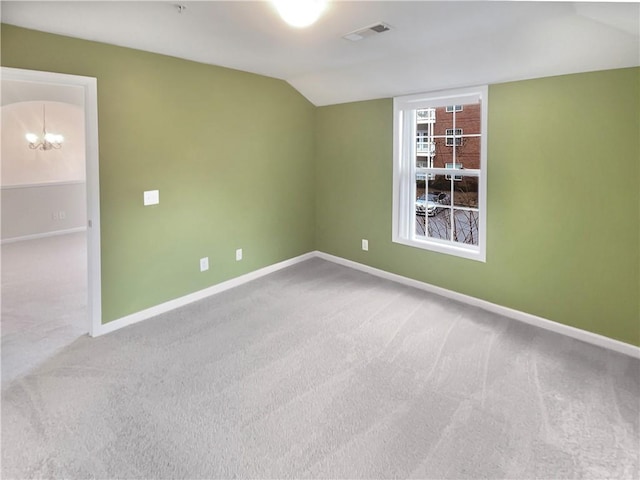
44	300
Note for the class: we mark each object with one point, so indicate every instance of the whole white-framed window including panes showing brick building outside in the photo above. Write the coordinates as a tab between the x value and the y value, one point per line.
439	171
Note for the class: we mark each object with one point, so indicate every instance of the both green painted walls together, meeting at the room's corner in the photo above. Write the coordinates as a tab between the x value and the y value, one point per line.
244	161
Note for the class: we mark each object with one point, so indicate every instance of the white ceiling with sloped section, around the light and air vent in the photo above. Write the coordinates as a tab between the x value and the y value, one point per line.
432	45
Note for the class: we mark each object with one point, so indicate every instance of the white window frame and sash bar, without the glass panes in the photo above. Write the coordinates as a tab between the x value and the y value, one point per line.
405	171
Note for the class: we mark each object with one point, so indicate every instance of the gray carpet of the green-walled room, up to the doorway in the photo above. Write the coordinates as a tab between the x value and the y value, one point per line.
319	371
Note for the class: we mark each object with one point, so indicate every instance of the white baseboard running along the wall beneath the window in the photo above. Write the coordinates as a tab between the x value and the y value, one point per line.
583	335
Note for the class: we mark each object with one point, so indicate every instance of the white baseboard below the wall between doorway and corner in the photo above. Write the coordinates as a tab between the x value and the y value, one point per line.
194	297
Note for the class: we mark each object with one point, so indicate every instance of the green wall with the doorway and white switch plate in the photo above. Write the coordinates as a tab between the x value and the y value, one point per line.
230	152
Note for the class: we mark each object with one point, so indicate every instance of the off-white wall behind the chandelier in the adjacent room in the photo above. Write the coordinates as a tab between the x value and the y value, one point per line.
42	192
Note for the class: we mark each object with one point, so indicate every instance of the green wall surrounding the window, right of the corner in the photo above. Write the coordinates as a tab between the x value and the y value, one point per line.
563	203
